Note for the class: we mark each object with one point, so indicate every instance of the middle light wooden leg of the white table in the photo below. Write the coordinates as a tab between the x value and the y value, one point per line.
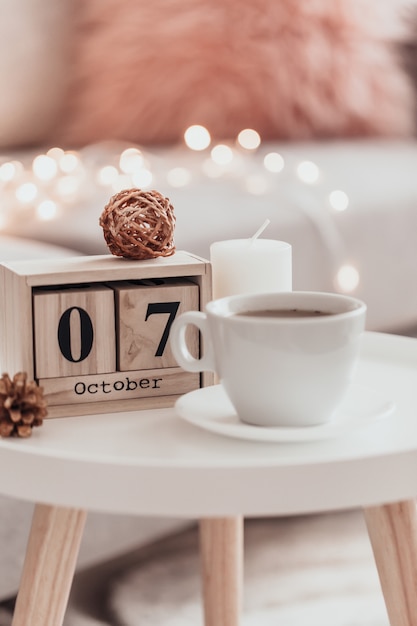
221	551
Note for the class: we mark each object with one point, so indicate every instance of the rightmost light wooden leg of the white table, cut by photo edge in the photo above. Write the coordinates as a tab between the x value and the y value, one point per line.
392	529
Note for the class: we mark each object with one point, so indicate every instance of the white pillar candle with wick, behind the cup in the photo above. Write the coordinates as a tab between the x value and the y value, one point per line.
250	266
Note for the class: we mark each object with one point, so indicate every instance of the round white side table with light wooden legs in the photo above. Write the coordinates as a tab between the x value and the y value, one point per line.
154	463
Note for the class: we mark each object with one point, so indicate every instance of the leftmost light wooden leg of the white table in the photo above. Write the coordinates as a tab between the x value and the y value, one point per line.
49	566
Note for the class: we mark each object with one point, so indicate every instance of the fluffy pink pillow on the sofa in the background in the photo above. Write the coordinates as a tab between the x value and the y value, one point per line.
144	71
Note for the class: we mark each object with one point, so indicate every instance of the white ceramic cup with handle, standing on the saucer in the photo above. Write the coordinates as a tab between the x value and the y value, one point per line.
277	371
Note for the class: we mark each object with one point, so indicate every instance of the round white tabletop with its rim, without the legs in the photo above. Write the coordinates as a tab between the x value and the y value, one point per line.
155	463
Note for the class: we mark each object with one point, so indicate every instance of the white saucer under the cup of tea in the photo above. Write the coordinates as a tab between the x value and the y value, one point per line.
210	409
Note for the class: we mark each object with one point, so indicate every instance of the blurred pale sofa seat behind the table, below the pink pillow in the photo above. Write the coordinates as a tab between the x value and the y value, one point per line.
348	207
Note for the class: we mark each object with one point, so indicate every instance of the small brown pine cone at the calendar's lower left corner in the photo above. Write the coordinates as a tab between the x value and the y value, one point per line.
22	406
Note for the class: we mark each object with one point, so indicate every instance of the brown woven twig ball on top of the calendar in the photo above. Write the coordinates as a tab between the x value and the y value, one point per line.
139	224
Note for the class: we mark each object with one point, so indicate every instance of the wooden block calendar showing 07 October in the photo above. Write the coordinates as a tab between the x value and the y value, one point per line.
94	331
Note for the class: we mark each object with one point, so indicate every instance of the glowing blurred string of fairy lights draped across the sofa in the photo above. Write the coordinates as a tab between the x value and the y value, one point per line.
42	186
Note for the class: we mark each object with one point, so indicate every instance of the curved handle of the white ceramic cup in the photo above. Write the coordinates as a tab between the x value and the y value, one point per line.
179	345
